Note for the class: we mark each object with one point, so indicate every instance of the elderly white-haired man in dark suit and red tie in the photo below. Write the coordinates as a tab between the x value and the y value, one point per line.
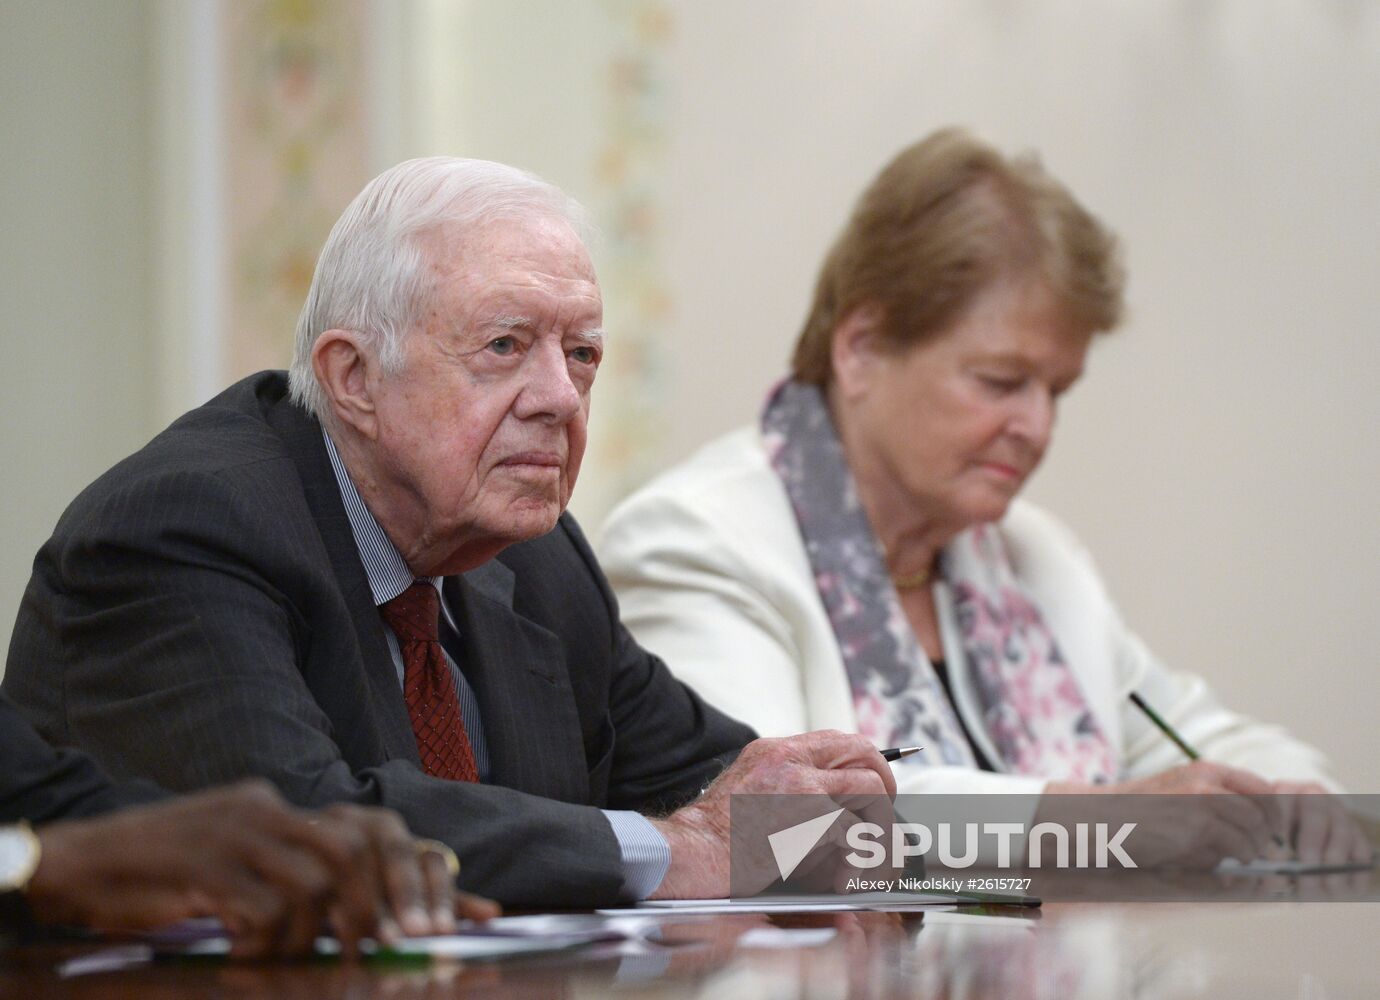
359	583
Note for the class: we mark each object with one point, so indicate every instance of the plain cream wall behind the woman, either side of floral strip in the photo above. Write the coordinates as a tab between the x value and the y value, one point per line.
1222	457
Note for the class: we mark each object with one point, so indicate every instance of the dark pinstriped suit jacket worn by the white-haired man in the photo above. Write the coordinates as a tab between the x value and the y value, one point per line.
201	614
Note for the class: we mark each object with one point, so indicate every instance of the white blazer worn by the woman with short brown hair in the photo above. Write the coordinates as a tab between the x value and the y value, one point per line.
713	576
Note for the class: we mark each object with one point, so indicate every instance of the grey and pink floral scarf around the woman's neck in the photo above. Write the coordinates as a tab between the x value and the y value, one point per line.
1029	699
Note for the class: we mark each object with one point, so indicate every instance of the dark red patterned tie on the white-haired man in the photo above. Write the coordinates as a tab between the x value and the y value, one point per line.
428	686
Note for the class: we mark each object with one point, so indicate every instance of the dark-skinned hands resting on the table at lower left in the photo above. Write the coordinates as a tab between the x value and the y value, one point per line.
271	874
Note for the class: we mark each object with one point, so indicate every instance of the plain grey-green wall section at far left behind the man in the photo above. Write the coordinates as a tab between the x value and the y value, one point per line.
75	261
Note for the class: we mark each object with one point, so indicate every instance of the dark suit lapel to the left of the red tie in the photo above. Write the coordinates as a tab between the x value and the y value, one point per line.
303	438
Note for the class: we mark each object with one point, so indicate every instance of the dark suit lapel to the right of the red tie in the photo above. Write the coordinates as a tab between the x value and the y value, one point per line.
518	671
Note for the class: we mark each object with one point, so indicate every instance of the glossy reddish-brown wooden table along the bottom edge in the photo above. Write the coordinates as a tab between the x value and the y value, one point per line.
1156	951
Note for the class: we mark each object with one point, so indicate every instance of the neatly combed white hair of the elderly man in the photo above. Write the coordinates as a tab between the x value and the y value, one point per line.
372	274
